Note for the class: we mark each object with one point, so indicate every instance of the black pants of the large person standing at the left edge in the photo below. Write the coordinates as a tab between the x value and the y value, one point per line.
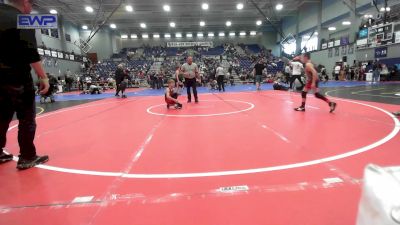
19	99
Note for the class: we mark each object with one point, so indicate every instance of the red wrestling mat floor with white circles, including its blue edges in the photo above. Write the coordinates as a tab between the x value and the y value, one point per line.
240	157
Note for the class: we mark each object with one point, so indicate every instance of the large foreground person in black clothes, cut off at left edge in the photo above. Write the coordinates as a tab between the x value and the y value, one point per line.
18	55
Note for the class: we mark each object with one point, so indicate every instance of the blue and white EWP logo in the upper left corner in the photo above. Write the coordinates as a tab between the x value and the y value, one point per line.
36	21
